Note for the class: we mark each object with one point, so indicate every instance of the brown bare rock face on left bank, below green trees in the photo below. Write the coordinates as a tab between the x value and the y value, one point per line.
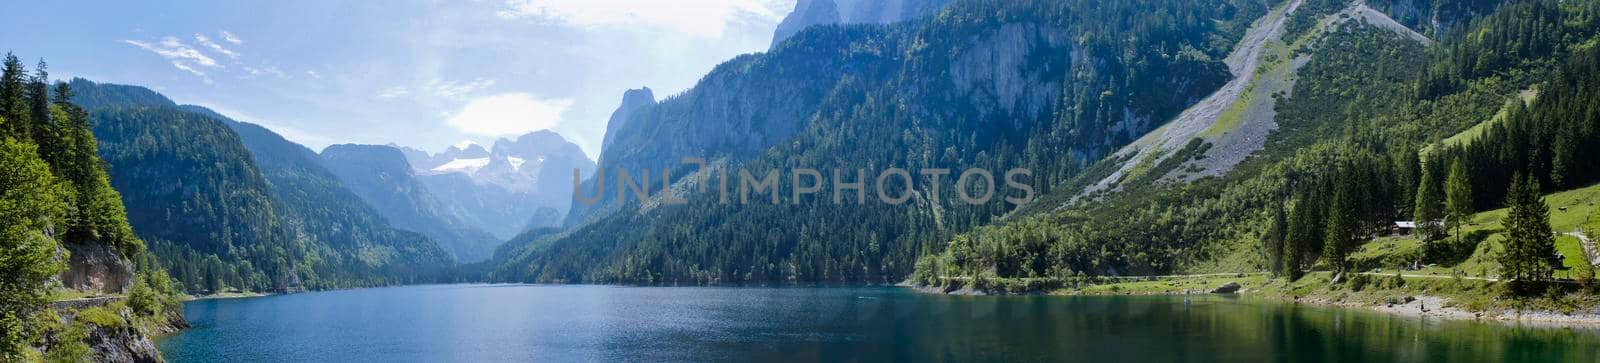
97	268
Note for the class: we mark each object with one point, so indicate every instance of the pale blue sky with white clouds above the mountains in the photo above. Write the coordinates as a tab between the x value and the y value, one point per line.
420	73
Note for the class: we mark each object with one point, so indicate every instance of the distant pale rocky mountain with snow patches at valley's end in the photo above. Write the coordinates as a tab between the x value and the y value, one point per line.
513	186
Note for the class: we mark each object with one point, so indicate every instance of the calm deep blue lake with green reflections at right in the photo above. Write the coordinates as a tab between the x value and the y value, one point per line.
622	324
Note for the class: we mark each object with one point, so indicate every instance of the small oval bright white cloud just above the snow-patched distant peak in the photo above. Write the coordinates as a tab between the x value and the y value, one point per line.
510	114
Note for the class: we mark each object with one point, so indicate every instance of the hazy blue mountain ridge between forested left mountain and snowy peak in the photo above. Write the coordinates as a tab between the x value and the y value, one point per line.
385	180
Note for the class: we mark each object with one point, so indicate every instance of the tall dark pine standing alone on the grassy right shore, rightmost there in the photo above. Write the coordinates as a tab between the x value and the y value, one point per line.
1529	242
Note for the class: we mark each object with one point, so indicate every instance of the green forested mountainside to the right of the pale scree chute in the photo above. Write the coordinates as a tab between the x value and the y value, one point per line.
1378	119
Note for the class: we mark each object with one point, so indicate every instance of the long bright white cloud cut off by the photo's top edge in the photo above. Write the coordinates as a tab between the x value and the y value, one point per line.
706	18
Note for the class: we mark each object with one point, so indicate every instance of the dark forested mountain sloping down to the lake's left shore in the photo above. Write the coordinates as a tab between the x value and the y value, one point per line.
230	204
